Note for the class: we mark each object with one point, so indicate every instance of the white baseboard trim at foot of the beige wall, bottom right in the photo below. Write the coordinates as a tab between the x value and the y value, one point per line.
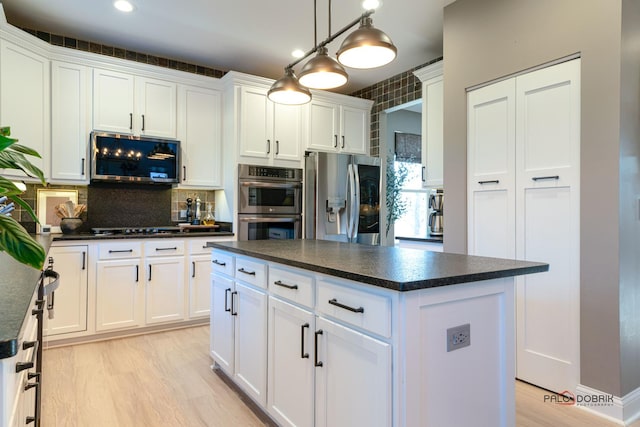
622	411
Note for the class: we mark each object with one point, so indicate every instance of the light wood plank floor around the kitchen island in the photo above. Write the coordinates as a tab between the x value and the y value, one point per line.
164	379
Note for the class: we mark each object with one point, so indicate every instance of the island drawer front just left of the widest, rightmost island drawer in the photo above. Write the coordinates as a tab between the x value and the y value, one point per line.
291	284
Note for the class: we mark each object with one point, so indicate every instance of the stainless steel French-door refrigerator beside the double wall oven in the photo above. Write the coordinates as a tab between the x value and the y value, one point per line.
342	198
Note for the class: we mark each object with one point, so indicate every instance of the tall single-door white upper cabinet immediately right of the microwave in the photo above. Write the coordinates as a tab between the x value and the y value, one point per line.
200	134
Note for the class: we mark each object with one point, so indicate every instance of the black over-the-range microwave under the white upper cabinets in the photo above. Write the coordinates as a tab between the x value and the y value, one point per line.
134	159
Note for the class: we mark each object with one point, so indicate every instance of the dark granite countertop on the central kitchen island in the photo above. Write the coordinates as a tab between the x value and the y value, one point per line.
393	268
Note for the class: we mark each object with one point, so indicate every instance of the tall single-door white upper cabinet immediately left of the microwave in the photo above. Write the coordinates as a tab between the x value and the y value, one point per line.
70	126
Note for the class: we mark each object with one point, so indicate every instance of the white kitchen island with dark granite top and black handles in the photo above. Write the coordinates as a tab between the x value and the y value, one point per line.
328	334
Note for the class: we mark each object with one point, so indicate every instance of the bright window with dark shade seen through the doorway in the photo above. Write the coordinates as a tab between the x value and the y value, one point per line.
408	154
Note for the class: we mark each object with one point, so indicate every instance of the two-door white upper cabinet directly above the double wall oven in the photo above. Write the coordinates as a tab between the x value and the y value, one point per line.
268	131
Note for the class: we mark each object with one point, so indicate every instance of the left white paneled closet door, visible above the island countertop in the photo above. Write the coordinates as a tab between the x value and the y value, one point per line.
491	164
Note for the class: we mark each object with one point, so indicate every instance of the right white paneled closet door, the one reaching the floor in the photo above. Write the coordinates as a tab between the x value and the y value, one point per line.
548	225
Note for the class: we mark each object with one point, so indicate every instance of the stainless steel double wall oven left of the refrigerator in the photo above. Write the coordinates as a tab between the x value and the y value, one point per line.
269	203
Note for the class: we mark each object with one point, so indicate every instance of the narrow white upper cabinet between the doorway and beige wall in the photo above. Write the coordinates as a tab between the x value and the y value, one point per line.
432	124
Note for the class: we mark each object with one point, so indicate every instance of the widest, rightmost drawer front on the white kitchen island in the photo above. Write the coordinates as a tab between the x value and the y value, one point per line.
361	308
